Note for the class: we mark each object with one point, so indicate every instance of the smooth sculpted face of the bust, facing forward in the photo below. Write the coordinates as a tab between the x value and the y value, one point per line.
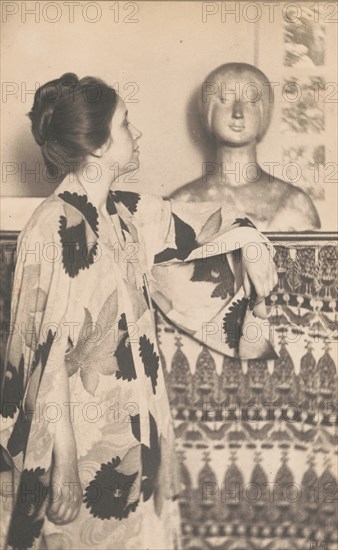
235	110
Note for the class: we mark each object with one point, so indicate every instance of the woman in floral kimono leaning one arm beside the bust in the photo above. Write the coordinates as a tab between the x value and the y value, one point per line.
86	426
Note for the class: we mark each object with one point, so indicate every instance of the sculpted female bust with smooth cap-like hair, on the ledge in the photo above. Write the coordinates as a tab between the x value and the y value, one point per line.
236	105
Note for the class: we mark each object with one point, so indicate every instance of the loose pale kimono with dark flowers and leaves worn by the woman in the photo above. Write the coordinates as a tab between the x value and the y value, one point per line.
82	329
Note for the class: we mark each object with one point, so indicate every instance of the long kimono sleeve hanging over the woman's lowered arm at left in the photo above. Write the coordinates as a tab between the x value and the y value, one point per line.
35	385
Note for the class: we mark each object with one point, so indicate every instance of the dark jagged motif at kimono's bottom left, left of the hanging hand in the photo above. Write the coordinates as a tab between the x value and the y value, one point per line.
25	524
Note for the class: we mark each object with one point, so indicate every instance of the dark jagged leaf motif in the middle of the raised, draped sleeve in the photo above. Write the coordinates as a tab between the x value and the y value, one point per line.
215	269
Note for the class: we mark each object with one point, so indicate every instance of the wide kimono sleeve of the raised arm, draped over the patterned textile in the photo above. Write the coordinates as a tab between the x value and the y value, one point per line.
196	275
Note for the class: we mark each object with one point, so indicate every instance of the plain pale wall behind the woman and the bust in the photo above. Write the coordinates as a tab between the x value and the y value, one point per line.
157	54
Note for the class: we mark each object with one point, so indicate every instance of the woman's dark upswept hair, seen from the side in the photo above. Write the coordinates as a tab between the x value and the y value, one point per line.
70	119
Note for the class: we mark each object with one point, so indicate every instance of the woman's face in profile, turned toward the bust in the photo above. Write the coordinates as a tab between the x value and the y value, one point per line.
122	152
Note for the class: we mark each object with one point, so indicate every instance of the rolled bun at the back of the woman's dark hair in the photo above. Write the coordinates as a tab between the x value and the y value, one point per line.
45	100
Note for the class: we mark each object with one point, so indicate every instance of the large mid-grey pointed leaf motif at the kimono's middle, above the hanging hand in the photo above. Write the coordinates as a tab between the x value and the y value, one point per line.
95	355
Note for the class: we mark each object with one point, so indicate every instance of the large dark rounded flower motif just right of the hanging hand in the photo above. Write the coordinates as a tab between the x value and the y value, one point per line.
114	490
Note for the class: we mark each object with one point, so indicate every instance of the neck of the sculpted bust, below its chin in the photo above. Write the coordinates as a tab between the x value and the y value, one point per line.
237	166
